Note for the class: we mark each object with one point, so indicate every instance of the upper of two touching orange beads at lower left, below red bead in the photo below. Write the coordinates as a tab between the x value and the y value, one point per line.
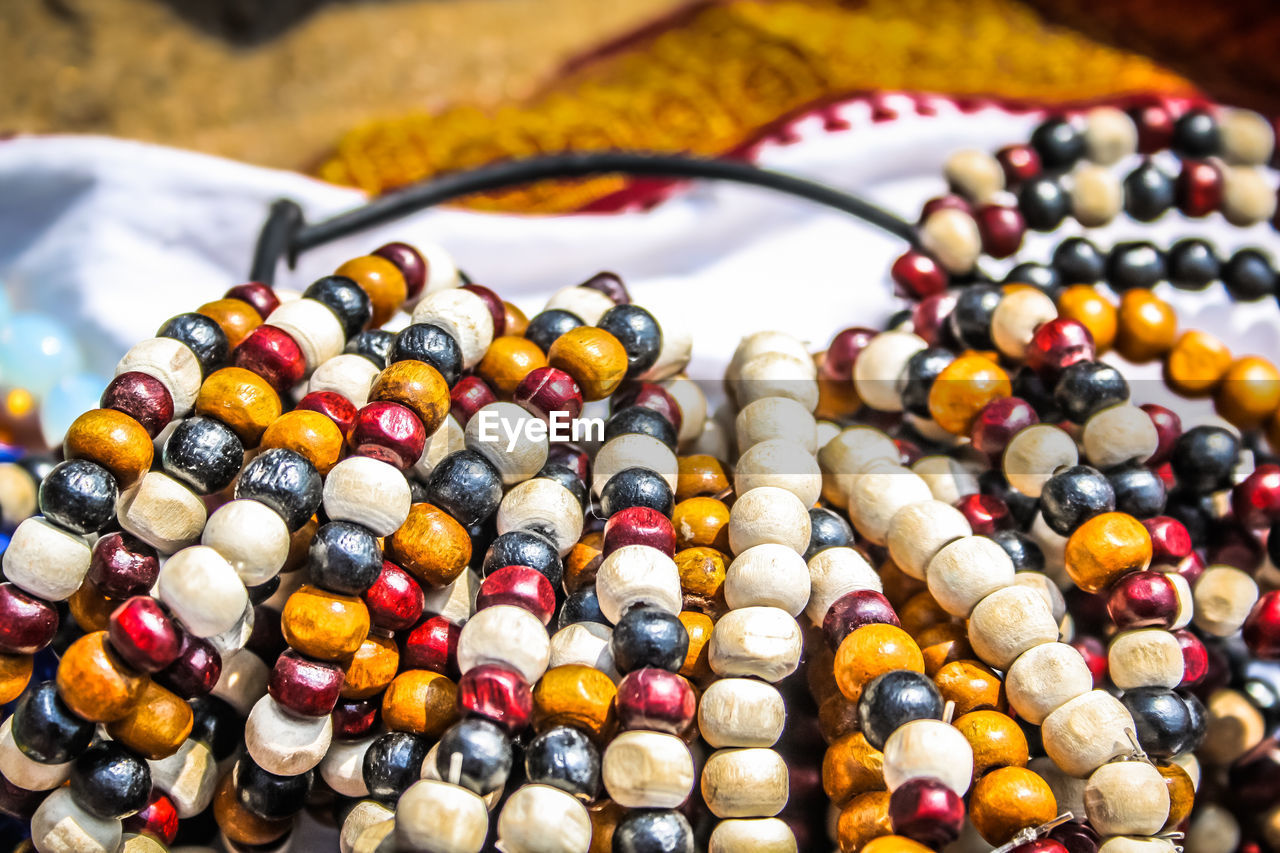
95	683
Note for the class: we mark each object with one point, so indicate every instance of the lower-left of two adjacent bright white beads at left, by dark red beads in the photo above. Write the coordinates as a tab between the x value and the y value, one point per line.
203	591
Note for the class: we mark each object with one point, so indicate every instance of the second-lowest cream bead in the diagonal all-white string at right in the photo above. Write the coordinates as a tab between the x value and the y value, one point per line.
1087	733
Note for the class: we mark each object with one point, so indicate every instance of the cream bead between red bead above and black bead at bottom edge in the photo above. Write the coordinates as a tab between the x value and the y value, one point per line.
648	770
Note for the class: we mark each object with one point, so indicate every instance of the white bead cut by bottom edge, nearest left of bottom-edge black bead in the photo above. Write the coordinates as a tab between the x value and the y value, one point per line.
541	819
